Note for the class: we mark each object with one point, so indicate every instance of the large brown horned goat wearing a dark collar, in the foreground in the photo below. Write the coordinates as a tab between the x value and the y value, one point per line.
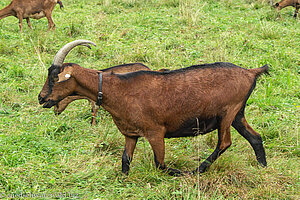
157	105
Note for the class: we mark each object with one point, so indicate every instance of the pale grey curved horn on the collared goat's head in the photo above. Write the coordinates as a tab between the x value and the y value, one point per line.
63	52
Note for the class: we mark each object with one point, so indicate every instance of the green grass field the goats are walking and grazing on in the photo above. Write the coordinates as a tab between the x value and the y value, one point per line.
44	154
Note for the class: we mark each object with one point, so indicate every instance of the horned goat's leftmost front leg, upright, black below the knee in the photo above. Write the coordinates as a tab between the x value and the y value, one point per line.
130	143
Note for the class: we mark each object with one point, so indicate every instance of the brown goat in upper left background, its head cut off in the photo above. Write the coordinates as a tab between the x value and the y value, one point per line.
26	9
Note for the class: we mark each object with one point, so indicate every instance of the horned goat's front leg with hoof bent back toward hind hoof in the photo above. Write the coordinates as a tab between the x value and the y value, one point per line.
158	146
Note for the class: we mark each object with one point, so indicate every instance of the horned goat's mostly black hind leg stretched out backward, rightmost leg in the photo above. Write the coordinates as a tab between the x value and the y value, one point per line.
254	138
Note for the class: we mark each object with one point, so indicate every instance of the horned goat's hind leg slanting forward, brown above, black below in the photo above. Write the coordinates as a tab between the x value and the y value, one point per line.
224	141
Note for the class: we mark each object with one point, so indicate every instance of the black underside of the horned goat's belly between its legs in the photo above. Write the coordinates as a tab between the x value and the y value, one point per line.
194	127
